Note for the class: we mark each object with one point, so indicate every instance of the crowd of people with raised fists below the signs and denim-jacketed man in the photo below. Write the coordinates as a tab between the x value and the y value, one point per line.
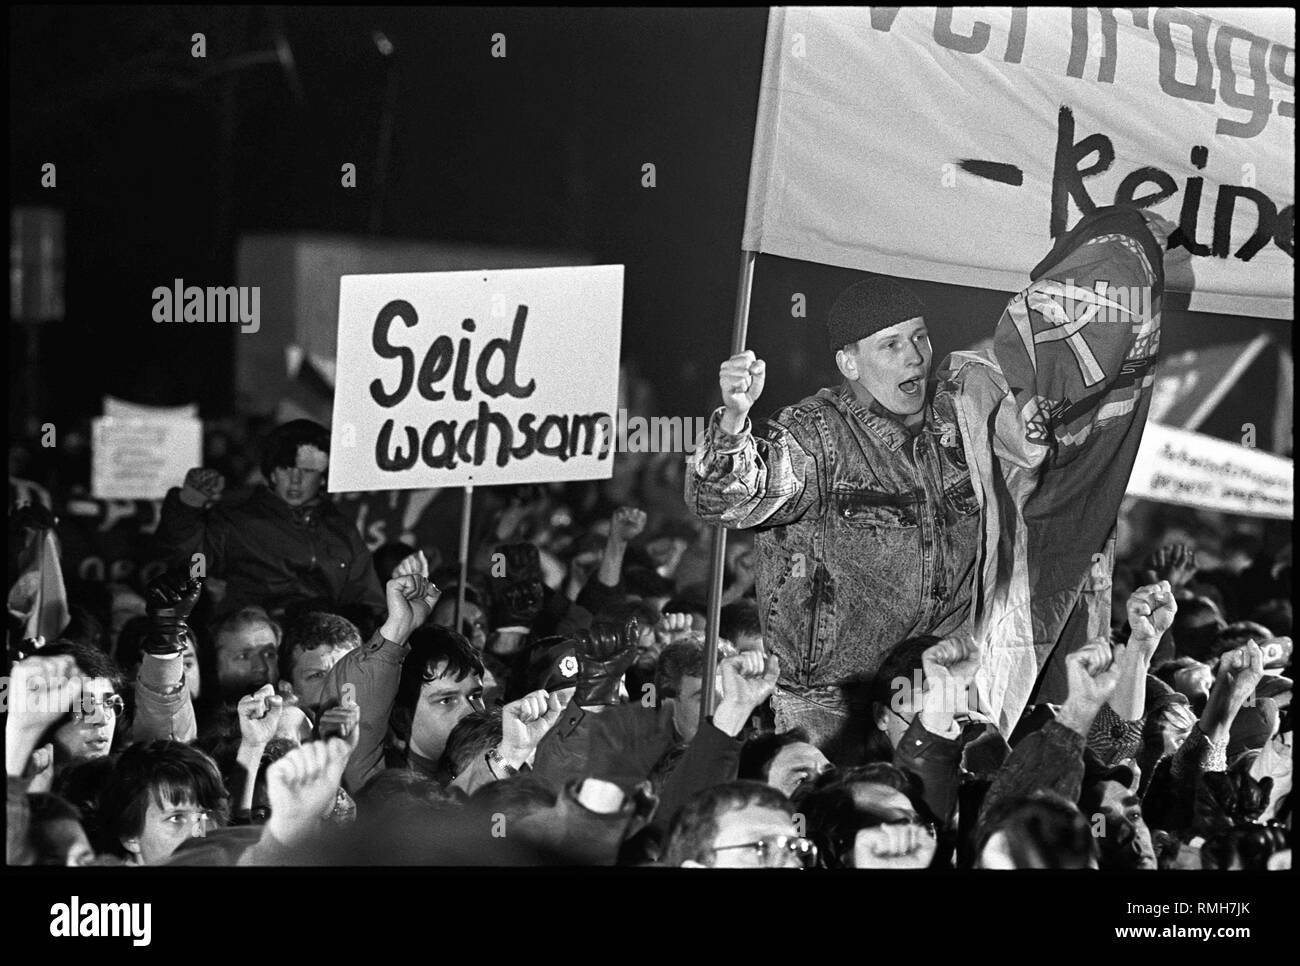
283	696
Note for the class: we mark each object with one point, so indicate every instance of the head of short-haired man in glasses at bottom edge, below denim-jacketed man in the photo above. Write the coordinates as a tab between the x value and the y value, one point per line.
738	825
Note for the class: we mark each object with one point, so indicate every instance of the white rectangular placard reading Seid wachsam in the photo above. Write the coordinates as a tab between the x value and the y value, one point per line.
448	379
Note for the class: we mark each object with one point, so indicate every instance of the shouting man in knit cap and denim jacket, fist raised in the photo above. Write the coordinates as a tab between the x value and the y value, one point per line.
869	526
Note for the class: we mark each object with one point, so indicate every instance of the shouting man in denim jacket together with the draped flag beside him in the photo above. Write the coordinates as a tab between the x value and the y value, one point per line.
985	505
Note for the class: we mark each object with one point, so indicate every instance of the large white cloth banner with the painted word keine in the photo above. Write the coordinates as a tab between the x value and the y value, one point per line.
954	145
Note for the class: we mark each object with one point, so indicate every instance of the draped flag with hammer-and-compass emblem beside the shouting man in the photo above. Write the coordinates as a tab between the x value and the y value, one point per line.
1052	421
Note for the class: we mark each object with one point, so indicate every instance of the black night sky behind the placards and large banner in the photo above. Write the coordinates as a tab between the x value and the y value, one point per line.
162	168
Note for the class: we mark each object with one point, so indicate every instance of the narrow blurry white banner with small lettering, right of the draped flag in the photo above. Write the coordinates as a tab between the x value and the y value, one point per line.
1176	466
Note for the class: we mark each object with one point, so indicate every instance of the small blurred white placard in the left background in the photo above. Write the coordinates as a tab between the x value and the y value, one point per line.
144	458
